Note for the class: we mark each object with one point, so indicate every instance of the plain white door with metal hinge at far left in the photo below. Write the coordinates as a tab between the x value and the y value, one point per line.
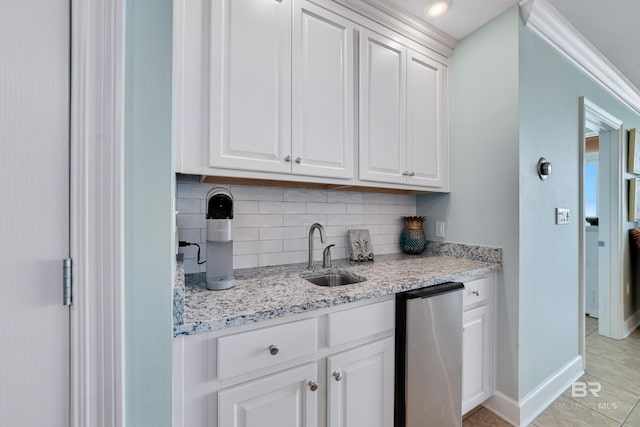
34	219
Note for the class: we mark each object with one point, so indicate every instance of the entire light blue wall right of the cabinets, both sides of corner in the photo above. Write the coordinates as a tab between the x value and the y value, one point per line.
514	100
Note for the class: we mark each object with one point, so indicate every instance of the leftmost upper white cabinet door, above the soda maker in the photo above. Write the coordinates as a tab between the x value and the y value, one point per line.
250	86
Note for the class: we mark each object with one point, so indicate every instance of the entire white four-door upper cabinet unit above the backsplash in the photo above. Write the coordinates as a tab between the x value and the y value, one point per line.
308	91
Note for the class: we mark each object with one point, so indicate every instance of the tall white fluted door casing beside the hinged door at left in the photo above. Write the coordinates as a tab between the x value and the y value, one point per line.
97	212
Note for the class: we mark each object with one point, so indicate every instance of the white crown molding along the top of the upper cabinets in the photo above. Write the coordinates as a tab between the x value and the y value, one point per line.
403	23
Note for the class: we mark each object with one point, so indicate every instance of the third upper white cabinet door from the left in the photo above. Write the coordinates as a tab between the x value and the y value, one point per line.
382	149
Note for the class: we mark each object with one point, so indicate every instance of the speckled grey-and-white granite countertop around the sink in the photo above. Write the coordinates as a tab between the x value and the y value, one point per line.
271	292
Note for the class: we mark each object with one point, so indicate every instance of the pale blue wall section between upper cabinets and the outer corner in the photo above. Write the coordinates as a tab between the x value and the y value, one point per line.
482	207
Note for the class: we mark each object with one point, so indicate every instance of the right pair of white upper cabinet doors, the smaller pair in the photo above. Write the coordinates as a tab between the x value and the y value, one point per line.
403	114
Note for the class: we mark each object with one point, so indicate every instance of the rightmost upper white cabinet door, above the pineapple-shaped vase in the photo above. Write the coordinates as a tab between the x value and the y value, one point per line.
427	160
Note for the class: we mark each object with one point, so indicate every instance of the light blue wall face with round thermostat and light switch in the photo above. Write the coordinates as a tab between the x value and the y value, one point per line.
550	88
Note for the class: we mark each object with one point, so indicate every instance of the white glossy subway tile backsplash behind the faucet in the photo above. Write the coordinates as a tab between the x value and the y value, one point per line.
271	225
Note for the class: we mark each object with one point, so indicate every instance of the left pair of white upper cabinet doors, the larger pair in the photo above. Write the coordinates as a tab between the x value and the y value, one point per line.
265	118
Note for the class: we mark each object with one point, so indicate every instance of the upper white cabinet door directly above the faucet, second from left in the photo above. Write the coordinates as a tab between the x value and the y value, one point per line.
323	93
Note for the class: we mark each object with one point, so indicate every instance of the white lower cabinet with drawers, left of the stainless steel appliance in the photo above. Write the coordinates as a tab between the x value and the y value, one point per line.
334	367
